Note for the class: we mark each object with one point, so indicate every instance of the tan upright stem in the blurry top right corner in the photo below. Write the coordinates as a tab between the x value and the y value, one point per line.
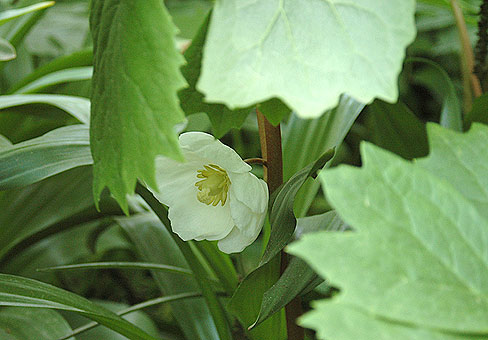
472	86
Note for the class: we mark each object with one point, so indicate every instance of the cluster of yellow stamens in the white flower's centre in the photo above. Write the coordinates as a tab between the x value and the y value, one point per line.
214	185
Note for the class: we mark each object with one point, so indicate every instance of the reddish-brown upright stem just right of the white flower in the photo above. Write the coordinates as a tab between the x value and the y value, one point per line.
270	138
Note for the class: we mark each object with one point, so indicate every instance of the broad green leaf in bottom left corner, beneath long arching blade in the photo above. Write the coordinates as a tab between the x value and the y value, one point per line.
28	323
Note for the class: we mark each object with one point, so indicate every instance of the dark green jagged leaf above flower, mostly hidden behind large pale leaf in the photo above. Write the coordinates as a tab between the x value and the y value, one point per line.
221	117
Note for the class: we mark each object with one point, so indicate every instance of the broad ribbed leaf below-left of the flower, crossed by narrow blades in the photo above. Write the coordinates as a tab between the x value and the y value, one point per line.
150	237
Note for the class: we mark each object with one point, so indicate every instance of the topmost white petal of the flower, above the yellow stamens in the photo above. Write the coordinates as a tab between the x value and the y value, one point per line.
211	149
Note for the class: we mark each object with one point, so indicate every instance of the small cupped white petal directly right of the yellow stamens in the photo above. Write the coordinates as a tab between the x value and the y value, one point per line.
250	190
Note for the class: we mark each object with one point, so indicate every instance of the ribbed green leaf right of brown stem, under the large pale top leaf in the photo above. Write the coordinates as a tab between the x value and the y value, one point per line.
304	140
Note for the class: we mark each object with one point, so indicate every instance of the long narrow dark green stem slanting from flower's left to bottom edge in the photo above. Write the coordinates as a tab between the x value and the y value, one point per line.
216	309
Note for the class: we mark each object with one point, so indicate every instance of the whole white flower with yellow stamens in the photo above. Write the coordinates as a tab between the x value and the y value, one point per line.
213	195
